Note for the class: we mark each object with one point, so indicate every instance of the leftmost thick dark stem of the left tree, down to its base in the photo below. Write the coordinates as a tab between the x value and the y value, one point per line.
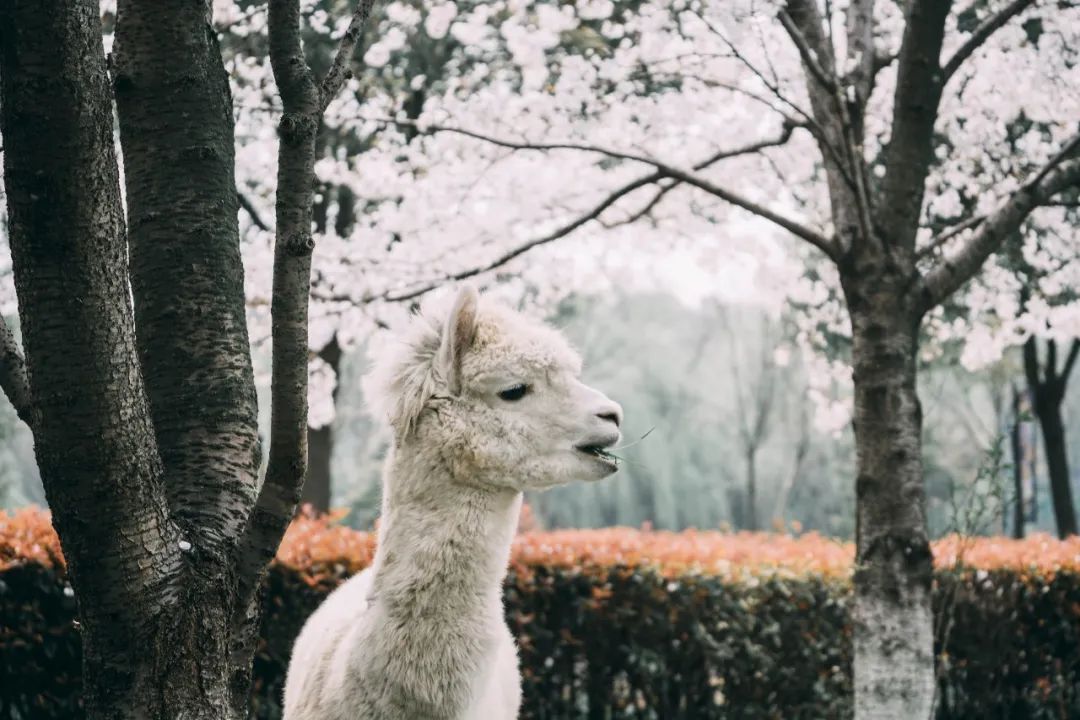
145	640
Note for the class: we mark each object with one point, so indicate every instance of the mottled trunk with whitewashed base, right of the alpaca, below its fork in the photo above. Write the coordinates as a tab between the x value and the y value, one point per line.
894	635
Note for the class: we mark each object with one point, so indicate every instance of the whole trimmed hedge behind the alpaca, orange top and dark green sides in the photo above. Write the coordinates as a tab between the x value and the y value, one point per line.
628	624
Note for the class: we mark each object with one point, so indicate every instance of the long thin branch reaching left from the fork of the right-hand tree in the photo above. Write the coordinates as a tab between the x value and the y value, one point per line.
664	170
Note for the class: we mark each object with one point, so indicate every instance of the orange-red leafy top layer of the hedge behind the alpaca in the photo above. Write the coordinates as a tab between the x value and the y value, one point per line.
323	548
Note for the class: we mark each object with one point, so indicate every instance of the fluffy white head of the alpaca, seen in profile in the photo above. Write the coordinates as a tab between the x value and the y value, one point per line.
496	397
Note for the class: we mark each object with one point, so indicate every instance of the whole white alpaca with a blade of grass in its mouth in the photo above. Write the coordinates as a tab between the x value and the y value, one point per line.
484	404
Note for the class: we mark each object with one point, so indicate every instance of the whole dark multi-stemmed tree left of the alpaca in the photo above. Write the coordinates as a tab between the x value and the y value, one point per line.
138	381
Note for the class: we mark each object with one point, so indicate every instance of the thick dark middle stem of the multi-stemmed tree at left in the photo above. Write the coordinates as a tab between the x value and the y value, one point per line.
177	129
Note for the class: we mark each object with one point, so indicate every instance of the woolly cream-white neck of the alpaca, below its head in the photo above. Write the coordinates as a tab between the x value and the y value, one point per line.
444	546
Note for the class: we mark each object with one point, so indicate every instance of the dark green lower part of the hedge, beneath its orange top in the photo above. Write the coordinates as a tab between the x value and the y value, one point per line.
617	643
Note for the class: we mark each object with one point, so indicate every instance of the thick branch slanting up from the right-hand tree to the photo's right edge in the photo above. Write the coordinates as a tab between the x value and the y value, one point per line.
1057	175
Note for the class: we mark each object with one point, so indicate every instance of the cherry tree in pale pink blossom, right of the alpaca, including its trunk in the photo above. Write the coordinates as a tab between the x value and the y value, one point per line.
875	133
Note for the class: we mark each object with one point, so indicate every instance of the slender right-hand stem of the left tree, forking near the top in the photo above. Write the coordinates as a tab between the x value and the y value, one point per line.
304	104
